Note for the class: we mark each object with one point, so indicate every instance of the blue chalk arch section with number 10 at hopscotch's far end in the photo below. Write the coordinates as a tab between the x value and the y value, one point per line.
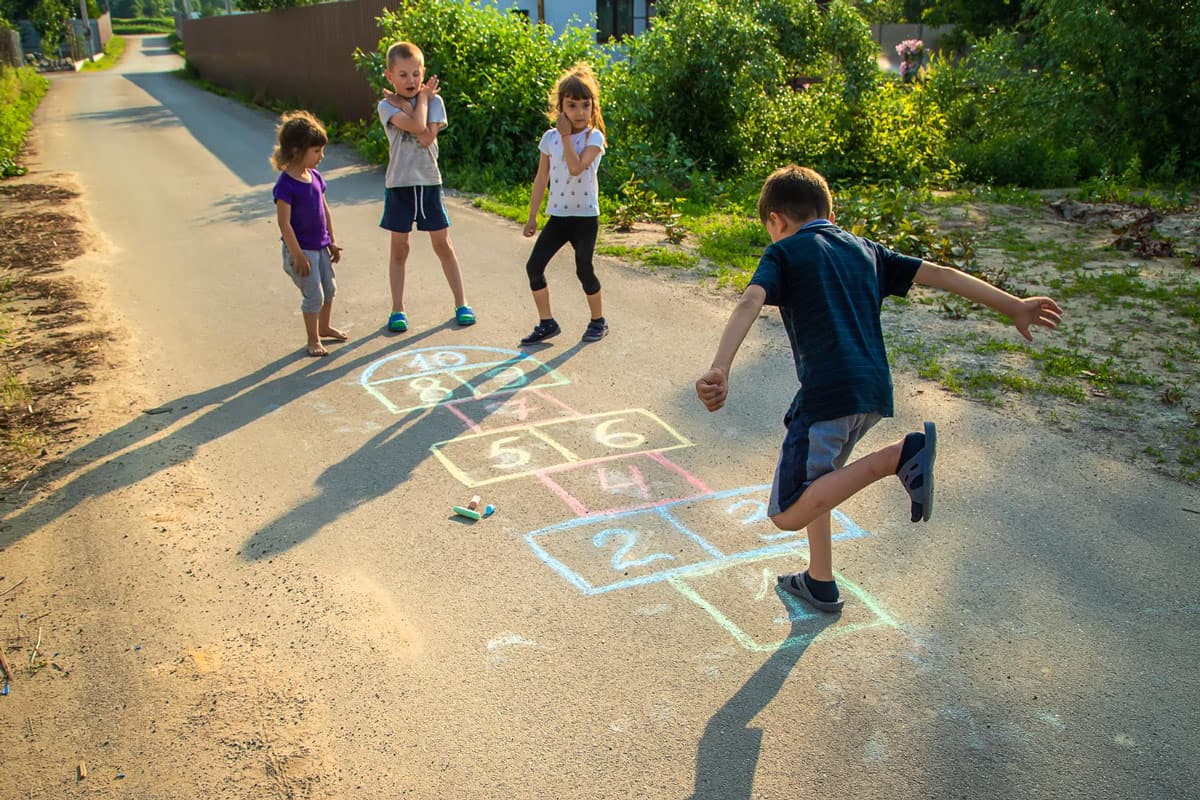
419	378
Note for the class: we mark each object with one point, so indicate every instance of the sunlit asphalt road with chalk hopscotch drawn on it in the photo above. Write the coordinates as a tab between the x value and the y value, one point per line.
262	591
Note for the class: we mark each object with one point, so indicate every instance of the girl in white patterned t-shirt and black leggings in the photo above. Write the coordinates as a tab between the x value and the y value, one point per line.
569	173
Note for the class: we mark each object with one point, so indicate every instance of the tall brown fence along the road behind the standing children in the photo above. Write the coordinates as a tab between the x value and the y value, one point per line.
303	55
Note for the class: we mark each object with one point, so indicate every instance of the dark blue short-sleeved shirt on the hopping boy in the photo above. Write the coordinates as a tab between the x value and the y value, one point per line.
830	287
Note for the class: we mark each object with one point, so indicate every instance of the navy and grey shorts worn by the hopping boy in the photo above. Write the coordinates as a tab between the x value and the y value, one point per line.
811	450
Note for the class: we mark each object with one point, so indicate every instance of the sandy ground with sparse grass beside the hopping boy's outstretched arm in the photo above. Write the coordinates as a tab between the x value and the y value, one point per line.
1123	374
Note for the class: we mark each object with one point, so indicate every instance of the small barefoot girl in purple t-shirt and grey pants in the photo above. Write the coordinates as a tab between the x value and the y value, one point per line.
307	225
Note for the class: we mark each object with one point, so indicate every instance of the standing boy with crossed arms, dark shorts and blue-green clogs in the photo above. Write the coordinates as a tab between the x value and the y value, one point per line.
413	118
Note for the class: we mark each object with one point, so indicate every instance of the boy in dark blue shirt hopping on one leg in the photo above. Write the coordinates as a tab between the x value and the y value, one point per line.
830	287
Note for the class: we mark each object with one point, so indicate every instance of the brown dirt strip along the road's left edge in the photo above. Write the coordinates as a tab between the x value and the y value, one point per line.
47	353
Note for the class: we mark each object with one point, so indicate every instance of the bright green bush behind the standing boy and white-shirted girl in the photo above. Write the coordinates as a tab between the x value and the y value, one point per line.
496	71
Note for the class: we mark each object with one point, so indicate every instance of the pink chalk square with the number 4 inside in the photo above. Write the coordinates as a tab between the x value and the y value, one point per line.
622	484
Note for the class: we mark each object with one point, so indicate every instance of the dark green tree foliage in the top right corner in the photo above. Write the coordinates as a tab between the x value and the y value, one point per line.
1083	88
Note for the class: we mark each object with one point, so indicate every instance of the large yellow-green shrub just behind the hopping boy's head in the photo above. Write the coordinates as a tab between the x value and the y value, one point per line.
716	88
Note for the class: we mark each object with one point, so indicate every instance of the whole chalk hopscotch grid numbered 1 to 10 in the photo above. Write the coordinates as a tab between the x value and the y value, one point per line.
640	518
